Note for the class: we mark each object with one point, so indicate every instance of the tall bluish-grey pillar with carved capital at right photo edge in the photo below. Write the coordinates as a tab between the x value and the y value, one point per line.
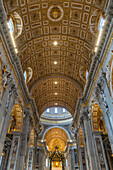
102	94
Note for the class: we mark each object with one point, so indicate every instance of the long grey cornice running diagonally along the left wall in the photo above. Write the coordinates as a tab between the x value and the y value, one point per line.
15	63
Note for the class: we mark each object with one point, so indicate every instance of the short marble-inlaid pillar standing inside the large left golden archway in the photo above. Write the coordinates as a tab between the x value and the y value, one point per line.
14	150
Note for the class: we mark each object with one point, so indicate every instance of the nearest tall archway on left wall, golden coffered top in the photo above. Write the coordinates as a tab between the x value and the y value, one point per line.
12	139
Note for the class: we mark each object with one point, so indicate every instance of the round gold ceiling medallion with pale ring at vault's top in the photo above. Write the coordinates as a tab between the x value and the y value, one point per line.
55	13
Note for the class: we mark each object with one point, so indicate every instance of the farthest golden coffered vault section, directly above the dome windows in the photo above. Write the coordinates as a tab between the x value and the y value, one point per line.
63	94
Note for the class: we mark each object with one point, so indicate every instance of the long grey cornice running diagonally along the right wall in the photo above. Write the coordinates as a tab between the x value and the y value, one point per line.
100	54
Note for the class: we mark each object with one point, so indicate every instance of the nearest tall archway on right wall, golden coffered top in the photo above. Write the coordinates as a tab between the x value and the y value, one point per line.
101	138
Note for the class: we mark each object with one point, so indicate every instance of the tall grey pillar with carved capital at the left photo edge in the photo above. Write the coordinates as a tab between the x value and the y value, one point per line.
9	96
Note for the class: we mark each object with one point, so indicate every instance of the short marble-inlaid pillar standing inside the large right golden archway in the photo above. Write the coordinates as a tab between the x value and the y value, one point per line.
100	150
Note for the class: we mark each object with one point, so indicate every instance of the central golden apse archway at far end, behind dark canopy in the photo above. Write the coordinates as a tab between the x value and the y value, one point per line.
56	140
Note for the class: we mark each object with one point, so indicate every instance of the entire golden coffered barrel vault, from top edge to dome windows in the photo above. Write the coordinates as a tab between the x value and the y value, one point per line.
70	23
